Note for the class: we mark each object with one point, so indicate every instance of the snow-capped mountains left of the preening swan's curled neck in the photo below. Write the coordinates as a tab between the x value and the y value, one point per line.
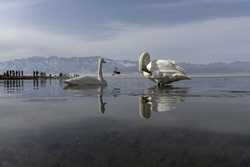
66	65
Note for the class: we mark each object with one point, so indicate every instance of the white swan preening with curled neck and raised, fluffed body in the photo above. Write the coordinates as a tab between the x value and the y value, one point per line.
161	72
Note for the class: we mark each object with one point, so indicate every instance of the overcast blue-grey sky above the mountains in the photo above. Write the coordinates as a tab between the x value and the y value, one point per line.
196	31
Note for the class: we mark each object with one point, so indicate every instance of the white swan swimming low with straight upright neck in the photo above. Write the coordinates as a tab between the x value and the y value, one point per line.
89	80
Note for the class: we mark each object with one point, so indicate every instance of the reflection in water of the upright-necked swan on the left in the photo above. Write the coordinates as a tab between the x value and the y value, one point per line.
91	90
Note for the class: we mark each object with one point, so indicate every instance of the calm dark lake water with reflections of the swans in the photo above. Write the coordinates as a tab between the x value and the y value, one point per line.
201	122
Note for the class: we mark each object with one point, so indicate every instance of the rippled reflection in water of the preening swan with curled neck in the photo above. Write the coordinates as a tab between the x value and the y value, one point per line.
160	100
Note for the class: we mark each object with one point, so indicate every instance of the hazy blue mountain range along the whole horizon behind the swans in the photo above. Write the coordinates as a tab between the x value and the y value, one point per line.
88	65
